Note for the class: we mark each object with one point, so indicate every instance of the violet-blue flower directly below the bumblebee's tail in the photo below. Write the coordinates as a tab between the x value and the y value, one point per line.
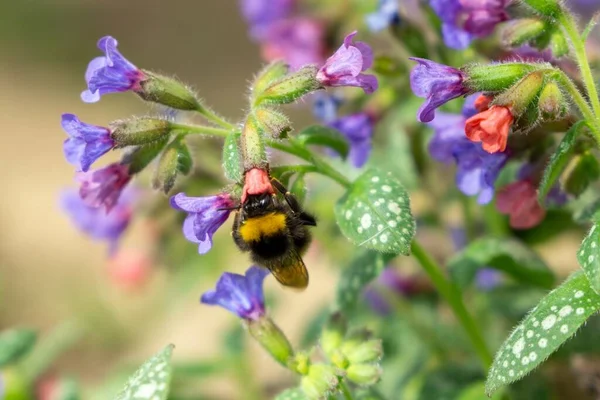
242	295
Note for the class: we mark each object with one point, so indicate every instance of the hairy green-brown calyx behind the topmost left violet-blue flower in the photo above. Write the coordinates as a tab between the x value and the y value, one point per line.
167	91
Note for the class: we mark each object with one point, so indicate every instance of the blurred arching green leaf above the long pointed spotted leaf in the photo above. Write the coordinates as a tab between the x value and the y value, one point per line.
507	255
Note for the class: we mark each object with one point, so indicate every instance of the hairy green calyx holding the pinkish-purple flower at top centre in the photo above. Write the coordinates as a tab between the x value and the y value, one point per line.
290	88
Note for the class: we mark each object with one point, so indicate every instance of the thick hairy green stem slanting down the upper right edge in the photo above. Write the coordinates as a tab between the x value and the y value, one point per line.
568	23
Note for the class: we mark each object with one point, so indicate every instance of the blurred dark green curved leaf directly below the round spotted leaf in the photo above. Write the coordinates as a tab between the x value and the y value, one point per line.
361	271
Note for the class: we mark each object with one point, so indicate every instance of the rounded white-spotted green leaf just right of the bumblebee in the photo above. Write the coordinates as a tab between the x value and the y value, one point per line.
375	213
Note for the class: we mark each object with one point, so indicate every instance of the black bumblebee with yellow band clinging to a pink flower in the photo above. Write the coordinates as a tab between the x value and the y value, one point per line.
275	232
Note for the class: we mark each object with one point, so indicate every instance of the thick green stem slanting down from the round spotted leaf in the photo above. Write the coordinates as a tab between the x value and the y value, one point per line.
453	296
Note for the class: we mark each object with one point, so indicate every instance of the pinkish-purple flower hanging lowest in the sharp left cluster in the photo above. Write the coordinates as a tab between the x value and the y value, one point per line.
102	187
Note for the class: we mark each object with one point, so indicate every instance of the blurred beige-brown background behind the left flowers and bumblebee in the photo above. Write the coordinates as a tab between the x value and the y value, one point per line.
50	272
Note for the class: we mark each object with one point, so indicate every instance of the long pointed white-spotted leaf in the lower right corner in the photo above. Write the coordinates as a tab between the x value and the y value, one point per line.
554	320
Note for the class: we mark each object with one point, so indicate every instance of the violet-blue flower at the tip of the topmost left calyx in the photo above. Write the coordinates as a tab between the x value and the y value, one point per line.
110	74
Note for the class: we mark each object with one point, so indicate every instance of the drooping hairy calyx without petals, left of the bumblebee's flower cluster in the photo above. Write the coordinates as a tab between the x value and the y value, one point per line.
175	160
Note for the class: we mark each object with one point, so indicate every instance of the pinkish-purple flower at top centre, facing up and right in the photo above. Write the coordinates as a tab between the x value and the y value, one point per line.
344	67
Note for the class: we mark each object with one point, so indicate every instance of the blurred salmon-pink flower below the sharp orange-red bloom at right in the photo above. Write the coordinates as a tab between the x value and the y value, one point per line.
519	201
